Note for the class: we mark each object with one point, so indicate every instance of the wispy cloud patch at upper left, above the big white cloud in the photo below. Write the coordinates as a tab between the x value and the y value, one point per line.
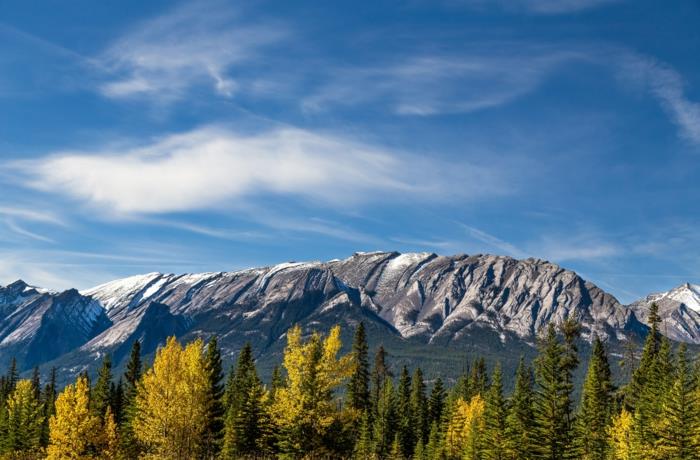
196	43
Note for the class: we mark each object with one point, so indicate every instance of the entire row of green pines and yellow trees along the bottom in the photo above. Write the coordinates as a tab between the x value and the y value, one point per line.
320	404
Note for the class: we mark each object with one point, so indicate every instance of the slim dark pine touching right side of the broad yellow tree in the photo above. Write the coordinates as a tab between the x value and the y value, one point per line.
214	431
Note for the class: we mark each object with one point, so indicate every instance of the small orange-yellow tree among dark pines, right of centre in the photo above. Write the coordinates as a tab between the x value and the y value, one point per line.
465	427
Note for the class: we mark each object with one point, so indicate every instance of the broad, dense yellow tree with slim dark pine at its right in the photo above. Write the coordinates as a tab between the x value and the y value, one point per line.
171	402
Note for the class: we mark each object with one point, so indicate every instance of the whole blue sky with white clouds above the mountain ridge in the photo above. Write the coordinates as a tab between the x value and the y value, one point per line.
216	135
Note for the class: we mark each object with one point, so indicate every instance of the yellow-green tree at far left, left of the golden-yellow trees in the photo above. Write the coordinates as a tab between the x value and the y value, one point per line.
24	419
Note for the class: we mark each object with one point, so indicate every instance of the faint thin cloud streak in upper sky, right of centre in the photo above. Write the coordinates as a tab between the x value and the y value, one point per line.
437	84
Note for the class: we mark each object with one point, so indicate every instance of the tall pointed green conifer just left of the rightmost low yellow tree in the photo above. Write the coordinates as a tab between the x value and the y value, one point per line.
595	410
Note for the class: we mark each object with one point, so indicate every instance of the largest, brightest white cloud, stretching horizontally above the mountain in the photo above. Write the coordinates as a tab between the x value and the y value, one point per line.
212	167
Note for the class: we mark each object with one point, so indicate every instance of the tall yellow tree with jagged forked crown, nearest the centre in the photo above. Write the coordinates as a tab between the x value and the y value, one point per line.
304	408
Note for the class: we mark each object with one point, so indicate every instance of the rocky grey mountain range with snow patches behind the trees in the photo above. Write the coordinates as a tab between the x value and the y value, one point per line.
417	302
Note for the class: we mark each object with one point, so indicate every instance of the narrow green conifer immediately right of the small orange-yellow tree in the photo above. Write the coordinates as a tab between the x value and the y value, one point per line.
495	414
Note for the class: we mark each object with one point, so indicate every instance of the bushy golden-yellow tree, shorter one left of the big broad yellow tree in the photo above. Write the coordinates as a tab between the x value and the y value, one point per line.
74	432
